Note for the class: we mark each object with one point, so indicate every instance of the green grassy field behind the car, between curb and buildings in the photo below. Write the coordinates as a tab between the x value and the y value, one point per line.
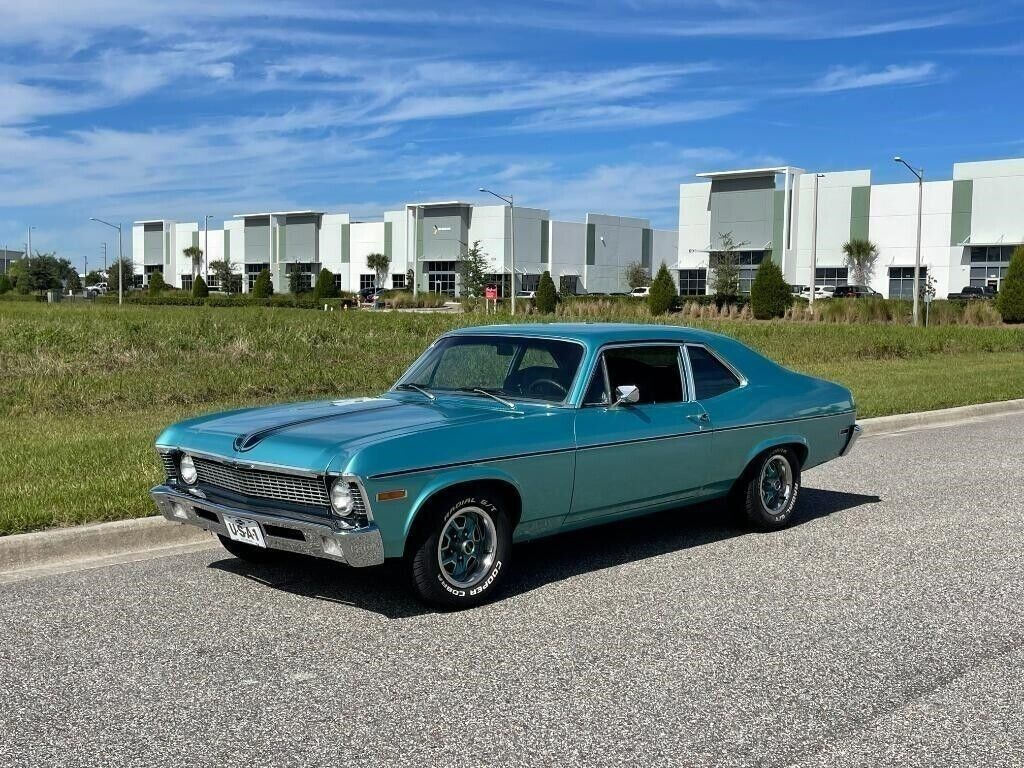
84	391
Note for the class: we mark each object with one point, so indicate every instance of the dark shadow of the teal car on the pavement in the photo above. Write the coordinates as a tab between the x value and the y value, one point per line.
385	589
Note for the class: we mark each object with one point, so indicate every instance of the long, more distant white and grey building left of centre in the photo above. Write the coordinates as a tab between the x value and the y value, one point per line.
428	239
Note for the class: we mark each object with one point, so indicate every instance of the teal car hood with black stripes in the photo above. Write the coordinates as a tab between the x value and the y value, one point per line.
311	436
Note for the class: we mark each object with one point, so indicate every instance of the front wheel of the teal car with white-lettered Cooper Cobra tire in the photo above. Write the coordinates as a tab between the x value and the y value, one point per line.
462	552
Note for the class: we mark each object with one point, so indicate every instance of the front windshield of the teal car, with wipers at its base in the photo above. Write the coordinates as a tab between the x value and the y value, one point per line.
508	367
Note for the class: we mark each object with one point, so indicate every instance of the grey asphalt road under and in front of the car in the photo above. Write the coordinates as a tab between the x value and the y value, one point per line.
885	628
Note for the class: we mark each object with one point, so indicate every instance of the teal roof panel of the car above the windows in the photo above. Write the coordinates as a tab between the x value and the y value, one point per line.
593	334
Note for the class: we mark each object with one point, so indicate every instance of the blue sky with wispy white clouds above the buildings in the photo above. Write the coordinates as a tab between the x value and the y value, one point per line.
127	110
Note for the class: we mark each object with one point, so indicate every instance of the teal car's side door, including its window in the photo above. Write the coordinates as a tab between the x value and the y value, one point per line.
650	454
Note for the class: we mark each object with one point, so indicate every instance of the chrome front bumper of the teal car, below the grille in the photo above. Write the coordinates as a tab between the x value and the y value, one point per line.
360	548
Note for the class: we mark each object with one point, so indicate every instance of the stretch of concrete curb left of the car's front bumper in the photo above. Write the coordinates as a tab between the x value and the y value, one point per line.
81	543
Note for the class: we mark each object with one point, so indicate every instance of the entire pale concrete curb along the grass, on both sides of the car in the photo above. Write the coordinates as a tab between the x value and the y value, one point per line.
103	542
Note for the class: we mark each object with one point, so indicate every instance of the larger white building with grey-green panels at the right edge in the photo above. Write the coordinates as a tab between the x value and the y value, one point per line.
970	226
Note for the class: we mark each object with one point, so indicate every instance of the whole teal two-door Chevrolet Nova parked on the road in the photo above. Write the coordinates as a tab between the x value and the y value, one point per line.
501	435
